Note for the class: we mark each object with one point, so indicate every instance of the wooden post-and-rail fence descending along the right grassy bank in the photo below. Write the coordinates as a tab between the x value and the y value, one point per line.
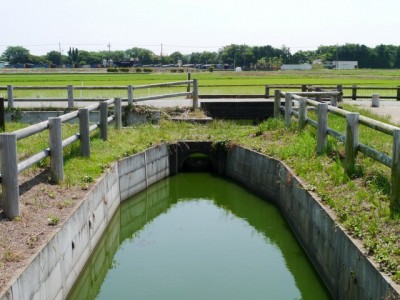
350	138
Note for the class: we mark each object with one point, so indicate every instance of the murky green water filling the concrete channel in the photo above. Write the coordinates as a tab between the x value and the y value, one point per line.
198	236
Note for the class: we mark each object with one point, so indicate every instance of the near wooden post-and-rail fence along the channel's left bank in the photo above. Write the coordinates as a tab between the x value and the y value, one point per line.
11	167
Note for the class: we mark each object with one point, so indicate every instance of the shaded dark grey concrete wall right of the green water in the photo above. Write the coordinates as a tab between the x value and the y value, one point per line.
346	271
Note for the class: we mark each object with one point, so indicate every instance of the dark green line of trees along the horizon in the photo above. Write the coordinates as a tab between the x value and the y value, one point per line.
261	57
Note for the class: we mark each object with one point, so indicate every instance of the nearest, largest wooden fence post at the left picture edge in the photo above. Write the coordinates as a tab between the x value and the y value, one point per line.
9	174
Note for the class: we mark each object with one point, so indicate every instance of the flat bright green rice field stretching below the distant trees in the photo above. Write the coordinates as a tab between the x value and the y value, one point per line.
218	82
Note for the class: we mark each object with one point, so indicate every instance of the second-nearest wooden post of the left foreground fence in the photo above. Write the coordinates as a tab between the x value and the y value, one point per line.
56	150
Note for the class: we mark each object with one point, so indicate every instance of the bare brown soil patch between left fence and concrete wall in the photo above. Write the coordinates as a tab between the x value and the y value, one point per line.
44	207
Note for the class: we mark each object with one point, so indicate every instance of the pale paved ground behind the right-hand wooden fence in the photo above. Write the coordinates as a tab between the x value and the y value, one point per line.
388	108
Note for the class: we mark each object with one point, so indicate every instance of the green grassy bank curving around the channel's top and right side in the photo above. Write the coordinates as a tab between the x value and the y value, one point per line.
360	200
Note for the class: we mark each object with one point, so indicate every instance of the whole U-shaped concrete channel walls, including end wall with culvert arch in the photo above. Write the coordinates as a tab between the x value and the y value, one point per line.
339	259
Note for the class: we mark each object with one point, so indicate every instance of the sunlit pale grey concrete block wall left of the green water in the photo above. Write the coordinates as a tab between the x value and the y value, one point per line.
54	270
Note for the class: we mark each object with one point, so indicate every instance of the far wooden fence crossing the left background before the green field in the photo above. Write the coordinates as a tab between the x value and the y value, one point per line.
129	89
